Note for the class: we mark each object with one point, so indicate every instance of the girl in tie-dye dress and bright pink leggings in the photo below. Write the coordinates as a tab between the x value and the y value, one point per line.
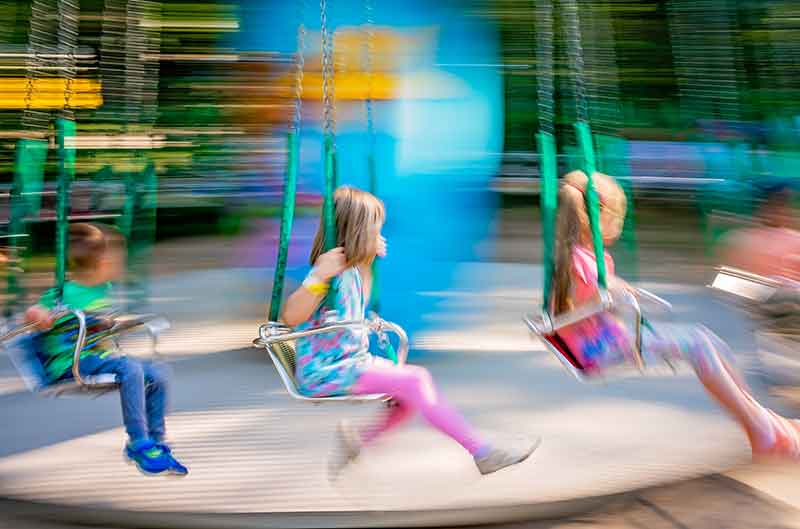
341	364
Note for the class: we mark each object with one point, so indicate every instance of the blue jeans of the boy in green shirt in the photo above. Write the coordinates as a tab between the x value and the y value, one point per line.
142	392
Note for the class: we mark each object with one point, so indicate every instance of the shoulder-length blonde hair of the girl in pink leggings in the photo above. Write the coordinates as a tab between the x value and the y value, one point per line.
359	218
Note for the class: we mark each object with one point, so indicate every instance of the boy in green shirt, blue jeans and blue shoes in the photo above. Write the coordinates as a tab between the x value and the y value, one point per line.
97	258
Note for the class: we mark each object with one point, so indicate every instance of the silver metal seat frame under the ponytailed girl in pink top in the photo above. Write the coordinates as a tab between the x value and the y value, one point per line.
546	328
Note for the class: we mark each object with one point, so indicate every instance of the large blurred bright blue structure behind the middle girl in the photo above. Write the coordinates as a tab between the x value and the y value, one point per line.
435	155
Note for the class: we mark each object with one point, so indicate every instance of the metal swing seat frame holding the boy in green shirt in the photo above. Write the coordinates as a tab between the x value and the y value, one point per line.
94	384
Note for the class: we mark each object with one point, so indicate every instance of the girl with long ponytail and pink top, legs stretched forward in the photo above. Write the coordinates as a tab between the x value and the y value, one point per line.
602	340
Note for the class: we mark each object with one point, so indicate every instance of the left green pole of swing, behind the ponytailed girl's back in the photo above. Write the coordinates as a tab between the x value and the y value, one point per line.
548	199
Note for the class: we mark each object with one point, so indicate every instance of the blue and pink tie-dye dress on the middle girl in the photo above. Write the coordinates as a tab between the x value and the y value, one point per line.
329	364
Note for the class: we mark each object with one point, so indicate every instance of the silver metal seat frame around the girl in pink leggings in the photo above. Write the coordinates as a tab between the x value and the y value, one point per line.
273	336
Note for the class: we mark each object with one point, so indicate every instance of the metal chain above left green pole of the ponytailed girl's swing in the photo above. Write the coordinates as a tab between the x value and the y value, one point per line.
544	57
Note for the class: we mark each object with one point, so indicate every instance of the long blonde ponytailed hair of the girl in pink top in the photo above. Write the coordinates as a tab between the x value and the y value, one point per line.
572	227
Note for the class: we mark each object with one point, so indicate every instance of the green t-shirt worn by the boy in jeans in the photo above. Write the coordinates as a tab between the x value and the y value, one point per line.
59	344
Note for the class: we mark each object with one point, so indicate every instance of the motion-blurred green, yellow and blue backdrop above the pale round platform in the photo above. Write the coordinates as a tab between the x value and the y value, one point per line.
182	110
